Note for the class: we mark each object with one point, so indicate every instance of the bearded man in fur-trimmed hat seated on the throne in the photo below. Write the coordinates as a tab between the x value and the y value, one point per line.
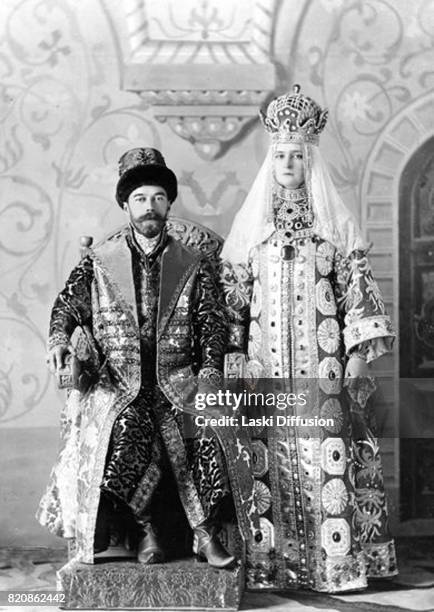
151	311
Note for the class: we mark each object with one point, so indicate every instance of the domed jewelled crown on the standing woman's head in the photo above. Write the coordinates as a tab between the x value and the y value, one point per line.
294	117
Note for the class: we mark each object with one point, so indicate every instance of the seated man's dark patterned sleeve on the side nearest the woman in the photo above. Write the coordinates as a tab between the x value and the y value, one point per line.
209	320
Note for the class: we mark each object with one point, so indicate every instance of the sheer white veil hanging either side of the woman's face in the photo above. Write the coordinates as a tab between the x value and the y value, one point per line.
253	223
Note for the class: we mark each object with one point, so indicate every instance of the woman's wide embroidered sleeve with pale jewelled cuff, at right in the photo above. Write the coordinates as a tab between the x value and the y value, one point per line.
367	328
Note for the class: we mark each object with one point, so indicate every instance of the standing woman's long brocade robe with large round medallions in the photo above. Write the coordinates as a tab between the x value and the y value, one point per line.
319	489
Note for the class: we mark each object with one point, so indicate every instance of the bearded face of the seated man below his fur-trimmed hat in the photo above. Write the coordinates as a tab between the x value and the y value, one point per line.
147	208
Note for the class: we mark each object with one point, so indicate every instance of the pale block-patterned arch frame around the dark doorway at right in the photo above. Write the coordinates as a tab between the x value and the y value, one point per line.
409	132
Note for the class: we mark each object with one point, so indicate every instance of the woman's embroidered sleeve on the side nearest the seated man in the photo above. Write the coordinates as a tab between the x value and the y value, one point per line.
237	282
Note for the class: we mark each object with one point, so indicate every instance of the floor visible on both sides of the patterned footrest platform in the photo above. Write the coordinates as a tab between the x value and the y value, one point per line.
413	589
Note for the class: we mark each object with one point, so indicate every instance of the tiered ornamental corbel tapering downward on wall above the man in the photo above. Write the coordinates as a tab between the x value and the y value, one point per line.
204	66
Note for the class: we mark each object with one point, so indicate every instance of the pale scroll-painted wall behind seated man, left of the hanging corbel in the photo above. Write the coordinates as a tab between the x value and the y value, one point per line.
65	122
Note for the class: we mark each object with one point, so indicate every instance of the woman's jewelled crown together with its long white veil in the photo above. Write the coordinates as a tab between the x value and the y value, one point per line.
293	118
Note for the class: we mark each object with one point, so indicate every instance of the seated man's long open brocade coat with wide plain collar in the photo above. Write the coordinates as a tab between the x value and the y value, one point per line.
190	335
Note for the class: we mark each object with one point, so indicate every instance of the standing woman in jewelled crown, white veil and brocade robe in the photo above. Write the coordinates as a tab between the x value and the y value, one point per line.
297	278
